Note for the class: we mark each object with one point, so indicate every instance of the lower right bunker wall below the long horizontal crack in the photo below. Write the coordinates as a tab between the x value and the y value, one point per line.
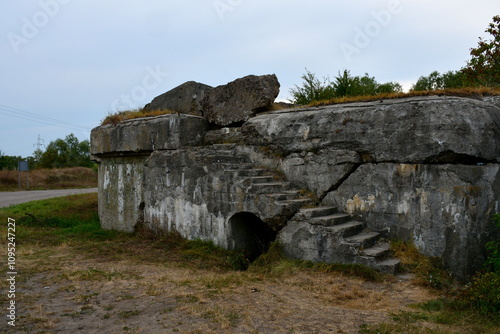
446	210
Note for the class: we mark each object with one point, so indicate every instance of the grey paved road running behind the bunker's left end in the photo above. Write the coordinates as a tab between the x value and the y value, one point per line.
18	197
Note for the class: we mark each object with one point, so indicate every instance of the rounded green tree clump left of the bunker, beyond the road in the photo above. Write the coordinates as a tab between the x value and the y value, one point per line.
66	153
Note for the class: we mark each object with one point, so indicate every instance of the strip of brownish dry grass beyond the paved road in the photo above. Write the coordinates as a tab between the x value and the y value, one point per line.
41	179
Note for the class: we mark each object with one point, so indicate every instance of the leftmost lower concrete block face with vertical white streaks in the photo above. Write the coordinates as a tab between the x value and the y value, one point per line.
121	192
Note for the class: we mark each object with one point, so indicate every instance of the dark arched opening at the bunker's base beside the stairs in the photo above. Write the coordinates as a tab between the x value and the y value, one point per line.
250	234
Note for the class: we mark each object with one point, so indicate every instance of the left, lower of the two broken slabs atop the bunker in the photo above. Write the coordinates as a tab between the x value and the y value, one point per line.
184	99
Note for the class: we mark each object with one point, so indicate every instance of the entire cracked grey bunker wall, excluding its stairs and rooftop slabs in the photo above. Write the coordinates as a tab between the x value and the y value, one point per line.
424	169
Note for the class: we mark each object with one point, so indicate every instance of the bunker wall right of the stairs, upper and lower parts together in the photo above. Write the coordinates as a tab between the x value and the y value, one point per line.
420	169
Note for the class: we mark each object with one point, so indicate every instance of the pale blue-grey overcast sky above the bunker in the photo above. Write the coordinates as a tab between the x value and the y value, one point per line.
66	64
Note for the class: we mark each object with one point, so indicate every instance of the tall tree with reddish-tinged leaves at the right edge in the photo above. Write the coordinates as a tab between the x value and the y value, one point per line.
483	68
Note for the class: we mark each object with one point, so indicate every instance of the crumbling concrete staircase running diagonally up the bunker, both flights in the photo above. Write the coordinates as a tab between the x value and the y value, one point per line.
350	239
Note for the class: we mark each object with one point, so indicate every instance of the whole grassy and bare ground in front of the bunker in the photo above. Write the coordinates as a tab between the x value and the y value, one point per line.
75	277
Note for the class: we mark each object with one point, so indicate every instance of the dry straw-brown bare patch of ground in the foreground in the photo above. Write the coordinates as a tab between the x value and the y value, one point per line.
67	292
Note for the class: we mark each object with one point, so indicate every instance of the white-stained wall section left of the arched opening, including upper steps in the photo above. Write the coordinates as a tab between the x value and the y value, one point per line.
196	192
